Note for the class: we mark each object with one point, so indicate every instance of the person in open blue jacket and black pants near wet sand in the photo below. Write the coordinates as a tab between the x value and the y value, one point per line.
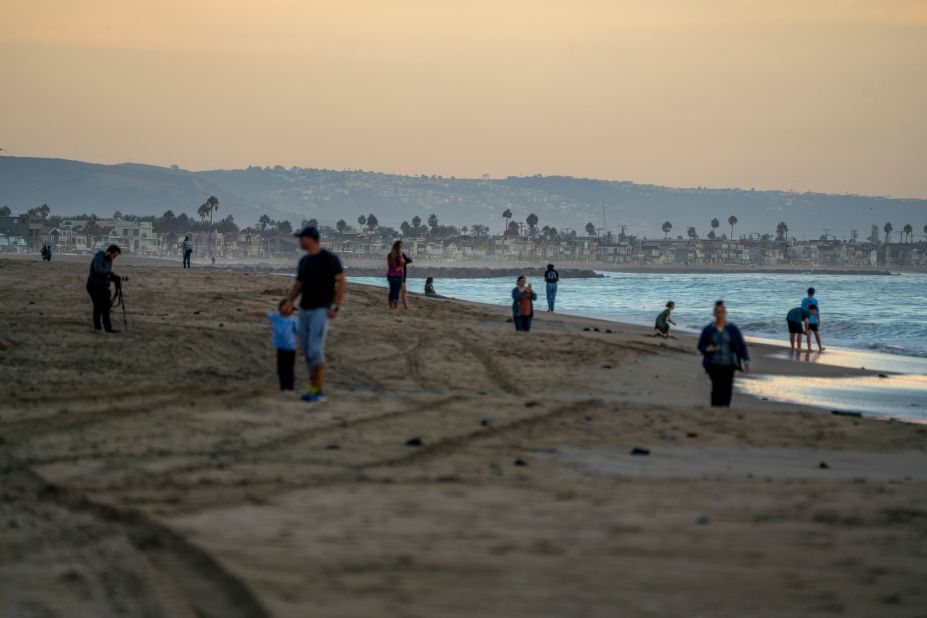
724	351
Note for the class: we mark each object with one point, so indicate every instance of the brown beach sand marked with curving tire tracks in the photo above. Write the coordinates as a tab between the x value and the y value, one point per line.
159	473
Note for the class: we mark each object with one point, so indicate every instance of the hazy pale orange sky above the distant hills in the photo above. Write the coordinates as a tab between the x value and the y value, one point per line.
827	95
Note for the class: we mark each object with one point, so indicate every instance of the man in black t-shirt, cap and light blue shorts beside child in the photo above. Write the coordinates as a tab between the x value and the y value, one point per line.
320	282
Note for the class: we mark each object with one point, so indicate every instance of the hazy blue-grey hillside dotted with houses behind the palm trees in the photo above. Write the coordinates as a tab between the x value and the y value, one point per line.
73	187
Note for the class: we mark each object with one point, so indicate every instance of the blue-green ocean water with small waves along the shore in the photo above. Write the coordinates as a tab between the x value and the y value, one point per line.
867	312
